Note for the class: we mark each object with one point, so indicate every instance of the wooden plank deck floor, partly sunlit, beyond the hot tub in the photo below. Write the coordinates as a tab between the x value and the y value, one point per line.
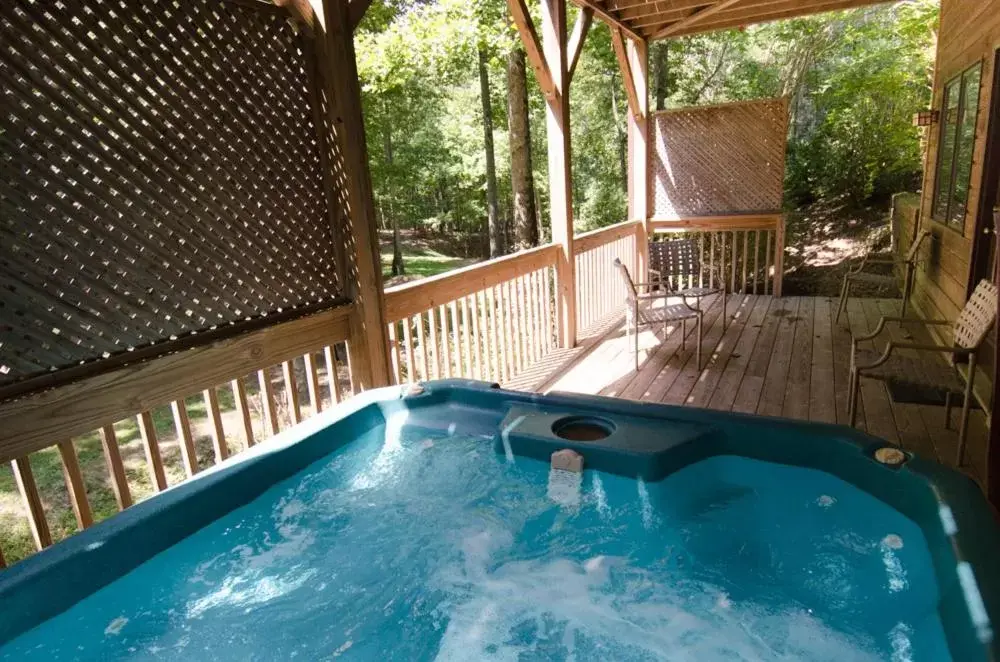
779	357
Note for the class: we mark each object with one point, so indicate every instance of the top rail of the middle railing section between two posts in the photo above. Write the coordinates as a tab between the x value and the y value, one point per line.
408	299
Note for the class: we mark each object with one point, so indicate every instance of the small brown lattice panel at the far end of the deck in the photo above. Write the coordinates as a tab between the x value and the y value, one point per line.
727	159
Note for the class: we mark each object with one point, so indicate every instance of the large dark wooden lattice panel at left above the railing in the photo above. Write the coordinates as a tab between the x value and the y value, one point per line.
161	176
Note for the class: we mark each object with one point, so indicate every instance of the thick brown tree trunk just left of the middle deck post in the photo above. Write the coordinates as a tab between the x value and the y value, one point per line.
521	182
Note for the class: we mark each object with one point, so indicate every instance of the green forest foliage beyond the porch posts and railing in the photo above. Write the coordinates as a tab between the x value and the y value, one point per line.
854	79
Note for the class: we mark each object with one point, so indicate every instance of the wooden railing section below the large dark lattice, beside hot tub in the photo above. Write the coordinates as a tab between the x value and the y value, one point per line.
160	422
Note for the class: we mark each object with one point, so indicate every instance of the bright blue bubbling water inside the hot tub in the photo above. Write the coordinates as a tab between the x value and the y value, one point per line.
418	546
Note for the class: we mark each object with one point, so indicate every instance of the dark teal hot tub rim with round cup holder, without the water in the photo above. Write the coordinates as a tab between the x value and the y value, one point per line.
639	440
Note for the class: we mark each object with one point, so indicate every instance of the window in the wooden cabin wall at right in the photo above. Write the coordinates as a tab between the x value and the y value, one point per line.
958	138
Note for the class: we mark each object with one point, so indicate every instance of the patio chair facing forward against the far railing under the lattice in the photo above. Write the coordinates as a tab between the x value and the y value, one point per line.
676	261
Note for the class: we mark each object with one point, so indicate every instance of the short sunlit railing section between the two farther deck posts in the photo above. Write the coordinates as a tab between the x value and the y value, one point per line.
599	290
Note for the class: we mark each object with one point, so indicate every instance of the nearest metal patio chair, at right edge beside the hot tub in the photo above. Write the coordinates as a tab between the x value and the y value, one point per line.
968	332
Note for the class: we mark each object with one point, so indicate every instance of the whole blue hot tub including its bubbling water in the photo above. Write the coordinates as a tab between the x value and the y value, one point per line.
429	525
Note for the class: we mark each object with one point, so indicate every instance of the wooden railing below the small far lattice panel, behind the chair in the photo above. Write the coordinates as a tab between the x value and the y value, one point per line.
747	250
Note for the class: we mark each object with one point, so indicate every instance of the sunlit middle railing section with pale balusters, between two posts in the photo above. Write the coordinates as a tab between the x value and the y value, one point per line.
488	321
